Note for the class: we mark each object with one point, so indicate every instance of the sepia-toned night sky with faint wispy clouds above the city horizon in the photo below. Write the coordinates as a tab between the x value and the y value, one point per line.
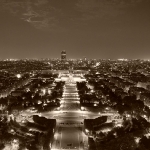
84	28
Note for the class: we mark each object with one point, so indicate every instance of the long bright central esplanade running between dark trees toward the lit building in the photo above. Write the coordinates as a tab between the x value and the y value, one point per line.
69	133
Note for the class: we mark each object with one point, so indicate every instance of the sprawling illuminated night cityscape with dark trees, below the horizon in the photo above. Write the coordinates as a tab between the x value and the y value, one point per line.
97	104
